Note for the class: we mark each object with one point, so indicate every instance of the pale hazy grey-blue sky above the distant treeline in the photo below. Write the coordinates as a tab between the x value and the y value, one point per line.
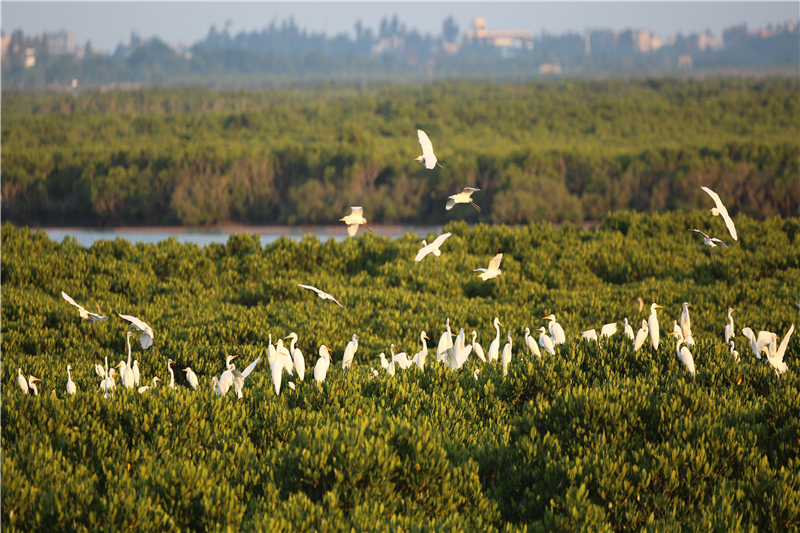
109	23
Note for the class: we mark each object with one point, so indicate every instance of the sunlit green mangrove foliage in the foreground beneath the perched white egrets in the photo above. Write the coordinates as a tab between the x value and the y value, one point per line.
589	439
